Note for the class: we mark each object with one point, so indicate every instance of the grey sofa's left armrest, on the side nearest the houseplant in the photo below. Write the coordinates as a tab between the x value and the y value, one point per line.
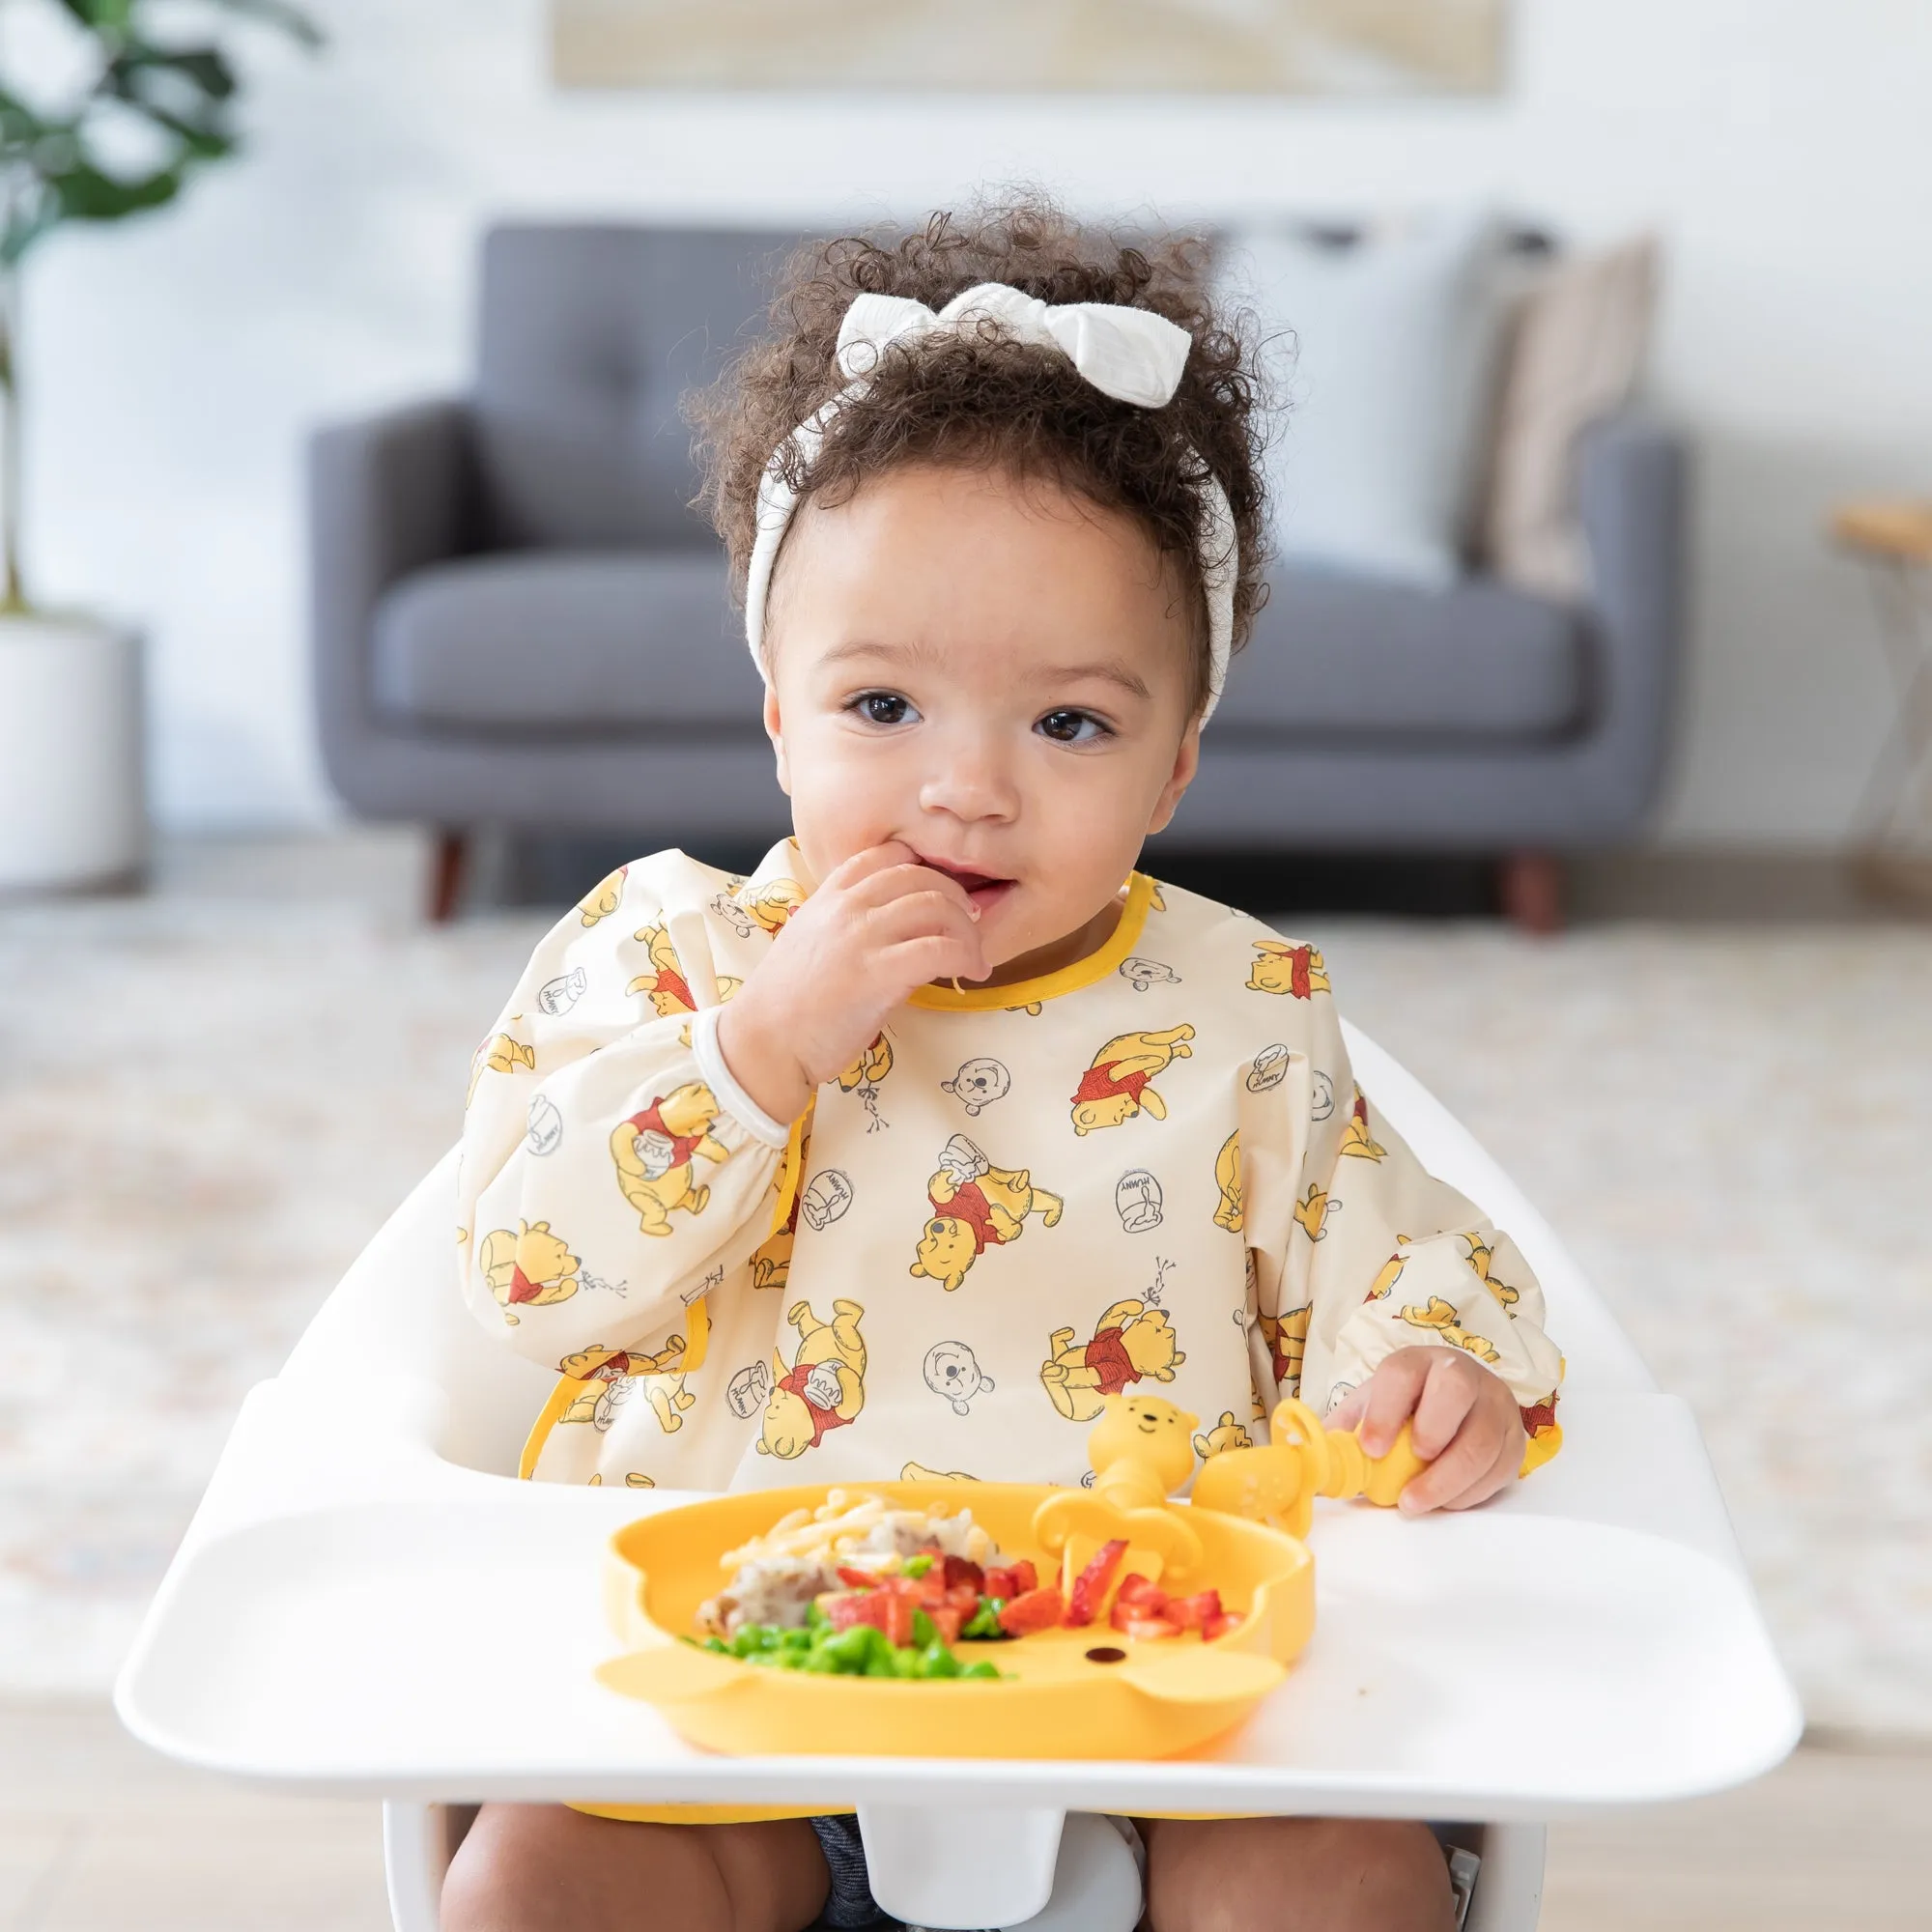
387	496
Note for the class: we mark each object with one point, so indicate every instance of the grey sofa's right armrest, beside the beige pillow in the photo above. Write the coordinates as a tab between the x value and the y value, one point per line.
1634	499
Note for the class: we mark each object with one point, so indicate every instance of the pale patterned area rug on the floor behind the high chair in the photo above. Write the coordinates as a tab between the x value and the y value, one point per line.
208	1108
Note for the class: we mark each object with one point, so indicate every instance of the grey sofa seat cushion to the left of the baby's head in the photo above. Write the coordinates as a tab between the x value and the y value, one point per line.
567	642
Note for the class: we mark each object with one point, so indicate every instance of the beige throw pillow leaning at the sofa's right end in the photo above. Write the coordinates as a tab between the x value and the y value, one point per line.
1577	351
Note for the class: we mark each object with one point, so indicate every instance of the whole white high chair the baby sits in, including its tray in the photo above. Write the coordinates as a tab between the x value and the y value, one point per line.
366	1606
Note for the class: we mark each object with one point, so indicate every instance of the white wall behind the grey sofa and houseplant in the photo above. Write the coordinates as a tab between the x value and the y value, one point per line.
1782	148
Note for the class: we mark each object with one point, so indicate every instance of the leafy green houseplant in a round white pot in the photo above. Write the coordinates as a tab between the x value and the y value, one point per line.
150	103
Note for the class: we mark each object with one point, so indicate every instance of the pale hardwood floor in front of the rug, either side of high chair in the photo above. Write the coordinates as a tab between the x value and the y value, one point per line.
101	1836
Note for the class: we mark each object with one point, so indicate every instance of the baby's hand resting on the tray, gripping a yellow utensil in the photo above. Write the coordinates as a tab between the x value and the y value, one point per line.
1467	1425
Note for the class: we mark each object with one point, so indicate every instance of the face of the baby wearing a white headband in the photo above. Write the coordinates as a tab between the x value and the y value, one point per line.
992	673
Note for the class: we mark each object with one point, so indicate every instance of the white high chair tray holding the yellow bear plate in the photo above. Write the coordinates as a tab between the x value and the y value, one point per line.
1518	1662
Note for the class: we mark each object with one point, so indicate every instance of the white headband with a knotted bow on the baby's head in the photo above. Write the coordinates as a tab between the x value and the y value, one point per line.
1129	355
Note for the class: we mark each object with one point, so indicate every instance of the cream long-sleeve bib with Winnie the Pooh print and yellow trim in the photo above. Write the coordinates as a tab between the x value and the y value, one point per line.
1151	1172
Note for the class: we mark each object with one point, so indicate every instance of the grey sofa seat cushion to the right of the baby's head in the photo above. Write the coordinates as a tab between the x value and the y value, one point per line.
1363	658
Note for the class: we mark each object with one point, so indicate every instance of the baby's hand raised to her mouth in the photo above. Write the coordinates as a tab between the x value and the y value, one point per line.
880	926
